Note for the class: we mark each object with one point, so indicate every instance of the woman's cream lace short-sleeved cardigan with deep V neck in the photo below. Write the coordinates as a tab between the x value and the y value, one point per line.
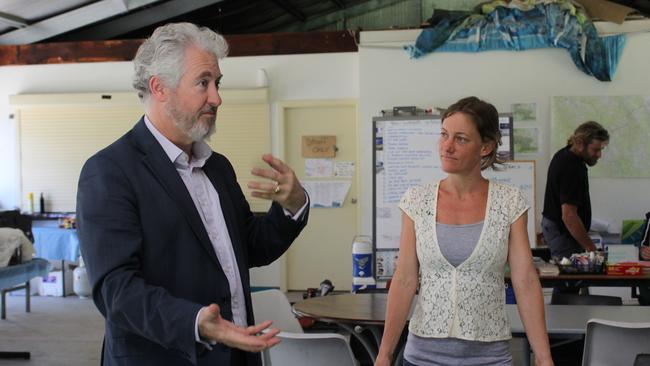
468	301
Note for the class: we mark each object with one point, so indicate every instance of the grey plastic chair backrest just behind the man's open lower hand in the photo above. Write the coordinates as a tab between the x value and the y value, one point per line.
274	305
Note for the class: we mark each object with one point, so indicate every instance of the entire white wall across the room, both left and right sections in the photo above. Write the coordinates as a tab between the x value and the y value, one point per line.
380	78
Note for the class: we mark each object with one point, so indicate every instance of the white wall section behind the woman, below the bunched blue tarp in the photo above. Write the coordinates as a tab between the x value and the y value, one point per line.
387	78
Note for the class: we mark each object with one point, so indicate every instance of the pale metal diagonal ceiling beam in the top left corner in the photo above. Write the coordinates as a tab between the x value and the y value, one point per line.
71	20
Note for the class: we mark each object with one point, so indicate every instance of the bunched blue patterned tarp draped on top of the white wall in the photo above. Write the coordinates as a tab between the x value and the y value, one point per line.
522	25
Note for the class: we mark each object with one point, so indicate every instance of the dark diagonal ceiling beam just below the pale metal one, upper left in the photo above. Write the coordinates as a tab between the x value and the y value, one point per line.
141	19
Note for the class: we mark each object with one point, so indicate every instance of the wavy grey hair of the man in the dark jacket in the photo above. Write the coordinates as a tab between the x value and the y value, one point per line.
163	54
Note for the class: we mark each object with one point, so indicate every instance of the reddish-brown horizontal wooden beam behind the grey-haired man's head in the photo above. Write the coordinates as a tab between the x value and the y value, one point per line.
124	50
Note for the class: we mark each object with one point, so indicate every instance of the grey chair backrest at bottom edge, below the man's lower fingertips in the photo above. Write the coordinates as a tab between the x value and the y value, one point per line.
314	349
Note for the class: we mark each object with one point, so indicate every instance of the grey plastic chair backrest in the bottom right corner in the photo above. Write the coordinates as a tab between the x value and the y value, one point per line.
615	343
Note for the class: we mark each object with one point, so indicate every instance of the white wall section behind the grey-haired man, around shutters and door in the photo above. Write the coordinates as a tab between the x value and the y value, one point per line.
293	77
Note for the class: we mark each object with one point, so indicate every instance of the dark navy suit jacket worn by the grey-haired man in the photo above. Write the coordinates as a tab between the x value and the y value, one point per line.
149	258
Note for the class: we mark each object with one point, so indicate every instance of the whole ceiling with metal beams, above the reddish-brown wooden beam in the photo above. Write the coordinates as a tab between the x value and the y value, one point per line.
38	21
